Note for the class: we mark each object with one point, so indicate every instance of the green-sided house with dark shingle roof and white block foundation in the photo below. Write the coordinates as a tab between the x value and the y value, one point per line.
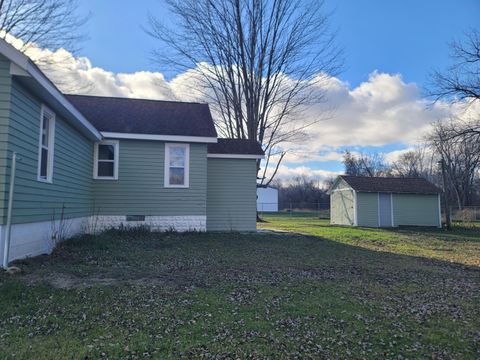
87	163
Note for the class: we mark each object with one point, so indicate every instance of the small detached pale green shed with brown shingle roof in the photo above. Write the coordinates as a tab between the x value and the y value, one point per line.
384	202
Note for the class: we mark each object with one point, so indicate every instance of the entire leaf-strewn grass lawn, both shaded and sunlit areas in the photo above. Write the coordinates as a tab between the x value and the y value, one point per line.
328	292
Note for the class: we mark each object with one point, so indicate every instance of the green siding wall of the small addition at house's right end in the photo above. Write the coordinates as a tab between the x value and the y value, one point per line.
231	195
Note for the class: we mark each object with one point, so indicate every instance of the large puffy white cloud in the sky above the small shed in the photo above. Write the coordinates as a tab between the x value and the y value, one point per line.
379	111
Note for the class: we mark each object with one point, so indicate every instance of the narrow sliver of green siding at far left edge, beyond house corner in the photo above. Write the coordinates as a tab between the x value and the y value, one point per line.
5	94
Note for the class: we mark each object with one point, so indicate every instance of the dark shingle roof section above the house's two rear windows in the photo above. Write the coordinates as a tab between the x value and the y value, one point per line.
139	116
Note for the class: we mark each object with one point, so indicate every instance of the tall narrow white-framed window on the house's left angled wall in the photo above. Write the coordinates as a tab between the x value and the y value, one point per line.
45	146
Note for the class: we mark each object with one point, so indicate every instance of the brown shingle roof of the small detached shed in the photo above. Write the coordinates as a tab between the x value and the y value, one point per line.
391	185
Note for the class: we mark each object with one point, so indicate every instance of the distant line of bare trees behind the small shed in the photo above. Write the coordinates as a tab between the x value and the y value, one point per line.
460	156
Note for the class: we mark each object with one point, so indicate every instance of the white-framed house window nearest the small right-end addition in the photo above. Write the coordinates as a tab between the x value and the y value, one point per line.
177	165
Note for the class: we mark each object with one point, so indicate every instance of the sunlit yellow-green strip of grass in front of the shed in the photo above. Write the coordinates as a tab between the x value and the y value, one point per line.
461	245
